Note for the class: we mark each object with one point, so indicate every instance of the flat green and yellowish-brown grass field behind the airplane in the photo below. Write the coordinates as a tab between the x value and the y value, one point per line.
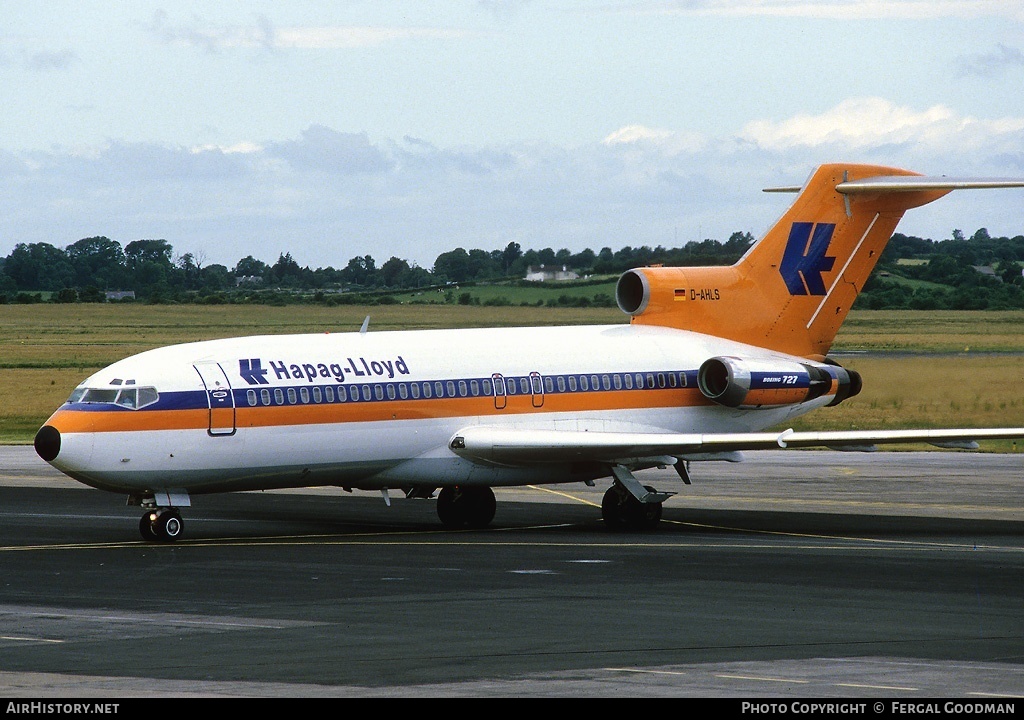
921	369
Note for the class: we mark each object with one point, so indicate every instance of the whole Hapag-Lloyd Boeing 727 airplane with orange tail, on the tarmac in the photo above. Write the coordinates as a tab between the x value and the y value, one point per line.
710	359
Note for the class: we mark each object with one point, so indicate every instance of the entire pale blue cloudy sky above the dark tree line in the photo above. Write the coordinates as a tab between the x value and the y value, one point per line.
411	128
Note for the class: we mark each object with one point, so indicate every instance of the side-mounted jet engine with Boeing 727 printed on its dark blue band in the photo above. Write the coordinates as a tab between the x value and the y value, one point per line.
737	383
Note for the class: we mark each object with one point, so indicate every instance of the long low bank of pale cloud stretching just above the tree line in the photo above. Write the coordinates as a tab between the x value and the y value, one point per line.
328	196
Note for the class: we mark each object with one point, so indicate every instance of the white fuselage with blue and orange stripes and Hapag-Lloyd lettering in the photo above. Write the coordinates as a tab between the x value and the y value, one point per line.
378	410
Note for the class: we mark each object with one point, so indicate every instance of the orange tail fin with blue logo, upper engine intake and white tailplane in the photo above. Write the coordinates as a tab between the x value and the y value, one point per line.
794	288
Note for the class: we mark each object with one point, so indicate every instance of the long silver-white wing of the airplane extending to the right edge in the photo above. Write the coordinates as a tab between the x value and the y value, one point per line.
524	447
